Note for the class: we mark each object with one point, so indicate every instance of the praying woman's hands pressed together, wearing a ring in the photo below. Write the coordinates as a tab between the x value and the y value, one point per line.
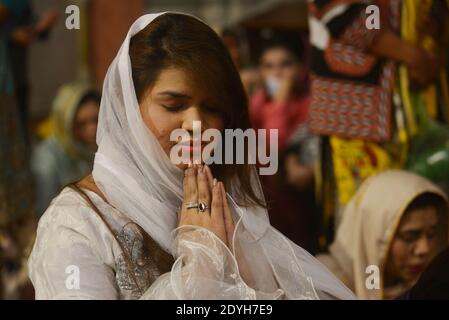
199	186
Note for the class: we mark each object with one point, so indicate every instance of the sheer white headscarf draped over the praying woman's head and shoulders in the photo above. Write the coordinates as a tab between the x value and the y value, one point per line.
137	178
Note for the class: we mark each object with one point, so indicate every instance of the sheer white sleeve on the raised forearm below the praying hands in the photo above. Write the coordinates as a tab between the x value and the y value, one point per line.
204	269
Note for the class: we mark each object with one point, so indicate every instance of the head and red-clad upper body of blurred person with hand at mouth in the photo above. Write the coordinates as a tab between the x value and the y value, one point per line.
283	102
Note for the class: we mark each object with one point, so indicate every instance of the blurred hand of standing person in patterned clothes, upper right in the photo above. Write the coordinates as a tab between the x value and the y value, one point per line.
422	67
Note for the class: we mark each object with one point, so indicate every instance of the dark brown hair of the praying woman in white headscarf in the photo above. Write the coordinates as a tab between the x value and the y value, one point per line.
183	41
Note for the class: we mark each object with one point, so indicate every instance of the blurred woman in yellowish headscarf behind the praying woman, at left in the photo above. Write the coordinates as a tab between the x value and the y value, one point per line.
68	154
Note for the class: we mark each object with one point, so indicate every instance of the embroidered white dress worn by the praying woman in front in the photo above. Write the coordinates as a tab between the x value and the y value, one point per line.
79	254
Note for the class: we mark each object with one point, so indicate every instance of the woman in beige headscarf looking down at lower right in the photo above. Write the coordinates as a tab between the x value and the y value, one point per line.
397	222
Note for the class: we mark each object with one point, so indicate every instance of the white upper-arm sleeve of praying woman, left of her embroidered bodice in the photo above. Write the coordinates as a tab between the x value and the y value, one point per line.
65	266
